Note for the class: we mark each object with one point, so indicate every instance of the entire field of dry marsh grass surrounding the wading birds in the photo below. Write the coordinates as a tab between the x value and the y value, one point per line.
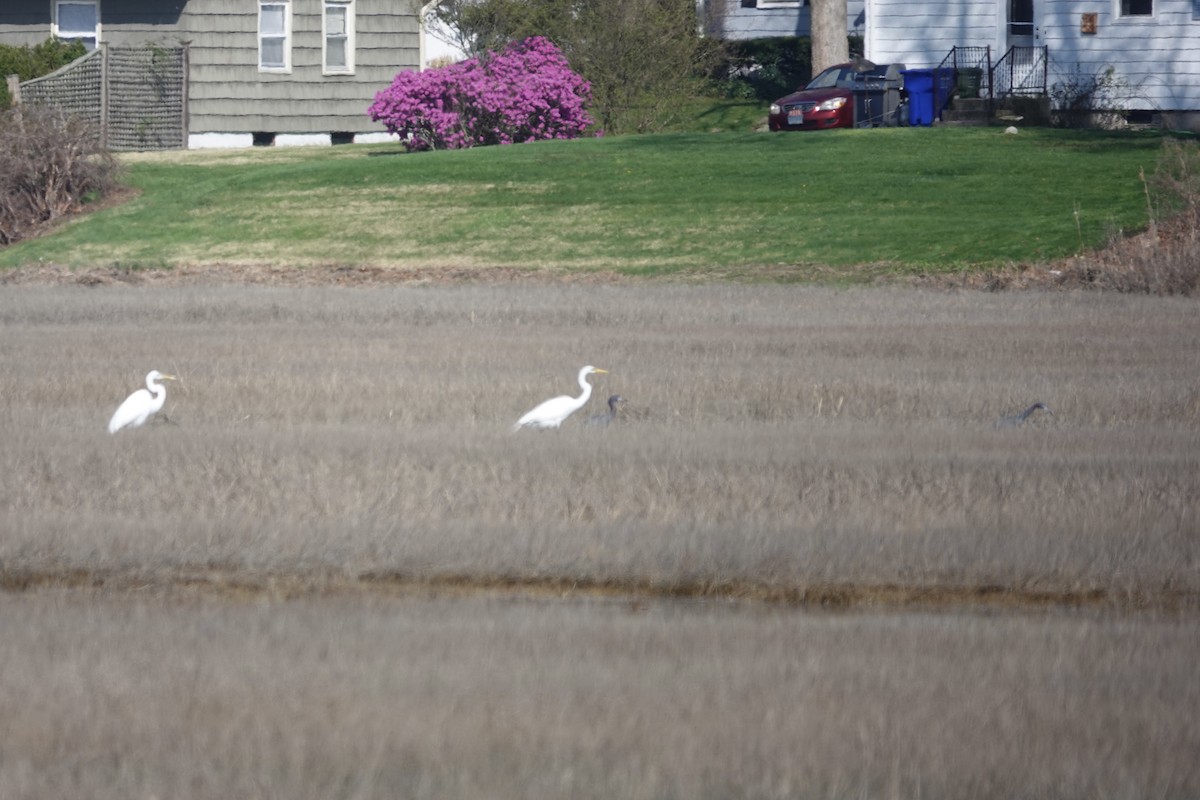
334	573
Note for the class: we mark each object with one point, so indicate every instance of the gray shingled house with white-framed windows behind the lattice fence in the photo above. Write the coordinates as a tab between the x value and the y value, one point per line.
263	71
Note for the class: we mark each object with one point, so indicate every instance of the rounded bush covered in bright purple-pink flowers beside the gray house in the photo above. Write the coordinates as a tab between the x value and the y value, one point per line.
523	94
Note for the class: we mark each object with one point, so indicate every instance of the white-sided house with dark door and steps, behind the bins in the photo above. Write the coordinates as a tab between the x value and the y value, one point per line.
1142	56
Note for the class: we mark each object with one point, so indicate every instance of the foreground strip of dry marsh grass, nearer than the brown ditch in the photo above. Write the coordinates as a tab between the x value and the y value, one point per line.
181	696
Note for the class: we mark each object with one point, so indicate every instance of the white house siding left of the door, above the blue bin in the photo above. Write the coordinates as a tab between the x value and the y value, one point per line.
921	33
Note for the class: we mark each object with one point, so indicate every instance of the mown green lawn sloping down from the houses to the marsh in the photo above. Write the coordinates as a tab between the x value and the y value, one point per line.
733	203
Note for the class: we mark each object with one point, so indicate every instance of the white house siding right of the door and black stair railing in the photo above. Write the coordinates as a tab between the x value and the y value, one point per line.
1156	59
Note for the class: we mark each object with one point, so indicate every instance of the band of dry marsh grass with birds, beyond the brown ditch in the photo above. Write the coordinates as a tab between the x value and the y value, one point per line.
775	436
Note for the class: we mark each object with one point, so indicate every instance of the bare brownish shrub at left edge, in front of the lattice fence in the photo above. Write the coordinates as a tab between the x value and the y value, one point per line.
51	165
